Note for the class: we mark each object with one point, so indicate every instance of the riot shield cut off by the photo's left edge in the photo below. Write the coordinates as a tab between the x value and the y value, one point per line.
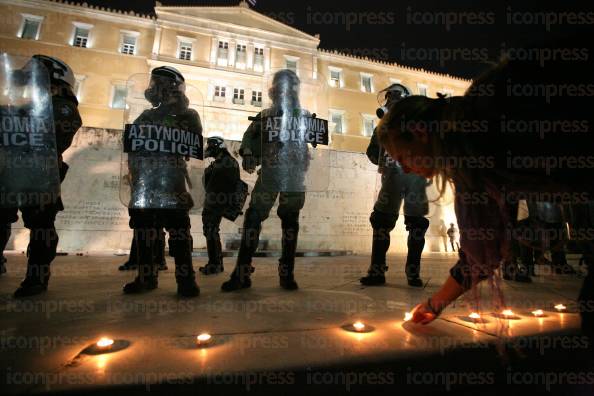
29	171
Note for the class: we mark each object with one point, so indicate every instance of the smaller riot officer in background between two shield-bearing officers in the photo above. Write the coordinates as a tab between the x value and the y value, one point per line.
220	181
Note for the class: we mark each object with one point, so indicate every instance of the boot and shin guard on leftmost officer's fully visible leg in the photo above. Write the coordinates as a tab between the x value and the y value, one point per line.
41	252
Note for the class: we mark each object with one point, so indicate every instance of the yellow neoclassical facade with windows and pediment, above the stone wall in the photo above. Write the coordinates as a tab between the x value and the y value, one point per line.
227	52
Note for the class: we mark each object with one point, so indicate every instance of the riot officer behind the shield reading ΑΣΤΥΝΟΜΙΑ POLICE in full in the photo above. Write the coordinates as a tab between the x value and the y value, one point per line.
159	187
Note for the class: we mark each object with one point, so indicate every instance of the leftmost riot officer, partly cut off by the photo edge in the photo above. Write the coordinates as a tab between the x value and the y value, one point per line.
39	218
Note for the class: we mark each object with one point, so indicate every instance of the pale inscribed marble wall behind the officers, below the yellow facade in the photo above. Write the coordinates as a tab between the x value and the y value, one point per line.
95	220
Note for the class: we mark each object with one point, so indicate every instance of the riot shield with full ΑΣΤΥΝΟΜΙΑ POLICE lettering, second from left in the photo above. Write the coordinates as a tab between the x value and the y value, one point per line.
163	146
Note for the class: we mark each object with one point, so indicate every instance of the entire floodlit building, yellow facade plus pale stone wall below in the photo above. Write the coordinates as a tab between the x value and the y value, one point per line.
228	54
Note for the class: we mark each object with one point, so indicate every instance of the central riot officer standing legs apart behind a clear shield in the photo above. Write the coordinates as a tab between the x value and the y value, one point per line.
284	184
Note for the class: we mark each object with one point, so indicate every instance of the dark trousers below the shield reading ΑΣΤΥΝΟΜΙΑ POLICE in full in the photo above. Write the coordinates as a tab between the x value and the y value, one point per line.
148	225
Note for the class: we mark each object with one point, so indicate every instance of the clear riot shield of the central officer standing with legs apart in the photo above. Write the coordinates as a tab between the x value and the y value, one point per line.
294	133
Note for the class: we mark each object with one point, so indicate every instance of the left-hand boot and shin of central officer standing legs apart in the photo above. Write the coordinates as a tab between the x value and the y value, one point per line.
240	277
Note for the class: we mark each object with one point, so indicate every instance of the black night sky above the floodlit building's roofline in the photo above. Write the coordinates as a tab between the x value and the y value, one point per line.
414	33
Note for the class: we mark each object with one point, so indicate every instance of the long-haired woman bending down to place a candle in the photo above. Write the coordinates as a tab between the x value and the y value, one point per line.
494	147
